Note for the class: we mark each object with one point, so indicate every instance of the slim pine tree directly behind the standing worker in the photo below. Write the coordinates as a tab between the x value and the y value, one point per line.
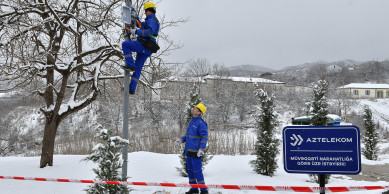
194	100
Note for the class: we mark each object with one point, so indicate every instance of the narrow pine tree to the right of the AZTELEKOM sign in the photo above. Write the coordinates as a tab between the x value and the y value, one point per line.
370	138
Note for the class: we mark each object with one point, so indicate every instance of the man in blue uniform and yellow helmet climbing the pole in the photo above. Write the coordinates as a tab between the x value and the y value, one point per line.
146	34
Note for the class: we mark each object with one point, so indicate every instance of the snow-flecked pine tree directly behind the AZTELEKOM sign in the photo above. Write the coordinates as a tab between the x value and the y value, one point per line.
320	111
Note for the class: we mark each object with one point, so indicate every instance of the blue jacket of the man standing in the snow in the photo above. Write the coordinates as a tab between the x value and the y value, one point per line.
196	136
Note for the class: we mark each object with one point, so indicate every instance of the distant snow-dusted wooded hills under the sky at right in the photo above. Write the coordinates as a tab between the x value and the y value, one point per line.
339	72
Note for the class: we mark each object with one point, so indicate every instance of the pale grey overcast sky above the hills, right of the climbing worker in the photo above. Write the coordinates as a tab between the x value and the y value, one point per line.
279	33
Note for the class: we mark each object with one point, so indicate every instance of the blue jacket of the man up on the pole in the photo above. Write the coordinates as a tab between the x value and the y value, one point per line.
150	27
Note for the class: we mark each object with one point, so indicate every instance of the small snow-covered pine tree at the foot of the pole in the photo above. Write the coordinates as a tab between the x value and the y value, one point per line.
108	156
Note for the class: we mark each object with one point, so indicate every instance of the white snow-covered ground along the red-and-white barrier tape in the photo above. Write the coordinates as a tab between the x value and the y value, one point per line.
153	167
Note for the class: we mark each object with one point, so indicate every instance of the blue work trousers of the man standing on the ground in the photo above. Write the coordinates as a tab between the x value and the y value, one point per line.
195	172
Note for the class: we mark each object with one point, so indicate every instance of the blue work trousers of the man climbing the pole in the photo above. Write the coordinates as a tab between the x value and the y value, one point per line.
141	56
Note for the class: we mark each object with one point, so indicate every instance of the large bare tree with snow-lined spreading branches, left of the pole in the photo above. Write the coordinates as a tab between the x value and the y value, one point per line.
62	50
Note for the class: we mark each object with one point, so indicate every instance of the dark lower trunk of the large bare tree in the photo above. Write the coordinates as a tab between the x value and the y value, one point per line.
48	143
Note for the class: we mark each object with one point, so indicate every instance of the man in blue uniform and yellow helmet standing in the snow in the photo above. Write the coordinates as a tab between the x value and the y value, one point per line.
195	140
